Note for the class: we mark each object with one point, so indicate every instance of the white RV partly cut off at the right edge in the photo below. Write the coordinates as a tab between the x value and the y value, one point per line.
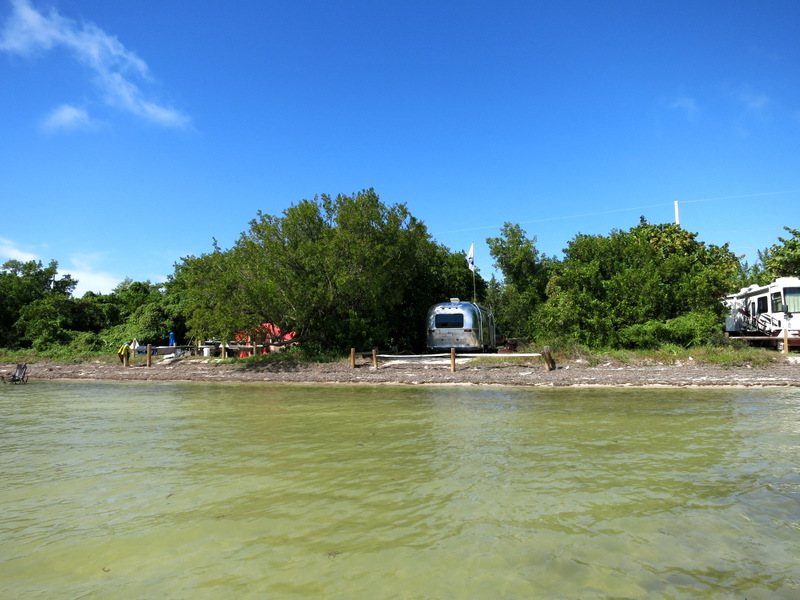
766	311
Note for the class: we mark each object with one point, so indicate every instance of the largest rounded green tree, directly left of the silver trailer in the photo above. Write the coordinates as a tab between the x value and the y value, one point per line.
344	272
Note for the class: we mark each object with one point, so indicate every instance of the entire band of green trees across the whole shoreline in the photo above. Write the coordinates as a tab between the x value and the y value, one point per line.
349	272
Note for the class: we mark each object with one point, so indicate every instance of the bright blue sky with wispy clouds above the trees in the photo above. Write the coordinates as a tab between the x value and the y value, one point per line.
133	133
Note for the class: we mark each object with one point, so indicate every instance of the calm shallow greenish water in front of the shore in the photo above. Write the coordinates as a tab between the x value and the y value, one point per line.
242	491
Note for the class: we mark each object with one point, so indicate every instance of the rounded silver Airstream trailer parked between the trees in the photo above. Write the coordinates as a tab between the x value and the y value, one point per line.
465	326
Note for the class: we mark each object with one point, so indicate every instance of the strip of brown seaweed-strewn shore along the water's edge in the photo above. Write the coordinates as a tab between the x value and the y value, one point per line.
427	371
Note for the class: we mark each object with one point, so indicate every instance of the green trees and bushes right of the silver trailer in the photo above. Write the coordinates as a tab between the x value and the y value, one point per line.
645	287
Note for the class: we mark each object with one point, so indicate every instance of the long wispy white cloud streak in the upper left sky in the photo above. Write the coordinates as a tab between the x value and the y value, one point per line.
116	70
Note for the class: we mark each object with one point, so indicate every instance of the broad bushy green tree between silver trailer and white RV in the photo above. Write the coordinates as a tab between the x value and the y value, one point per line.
653	284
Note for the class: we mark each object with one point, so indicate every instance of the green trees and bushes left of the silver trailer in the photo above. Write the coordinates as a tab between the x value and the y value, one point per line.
340	272
